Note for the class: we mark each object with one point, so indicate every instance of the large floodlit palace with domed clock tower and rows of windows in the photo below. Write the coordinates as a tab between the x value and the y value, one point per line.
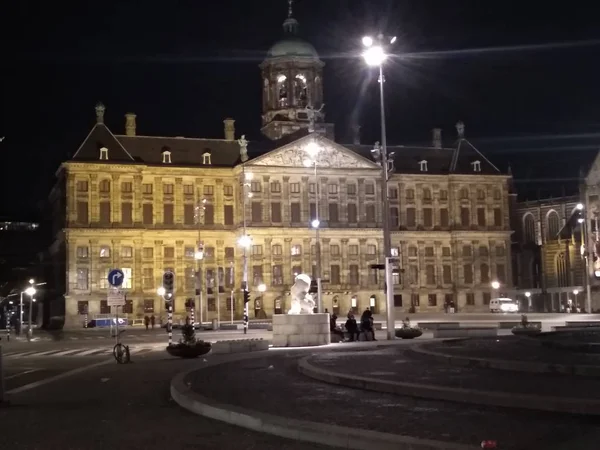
145	203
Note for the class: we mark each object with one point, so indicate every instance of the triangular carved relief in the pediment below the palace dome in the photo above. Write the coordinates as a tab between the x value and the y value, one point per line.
328	157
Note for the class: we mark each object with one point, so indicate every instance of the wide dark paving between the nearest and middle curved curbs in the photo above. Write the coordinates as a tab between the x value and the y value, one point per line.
272	384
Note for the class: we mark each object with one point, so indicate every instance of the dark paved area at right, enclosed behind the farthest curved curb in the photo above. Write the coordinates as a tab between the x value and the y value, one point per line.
512	348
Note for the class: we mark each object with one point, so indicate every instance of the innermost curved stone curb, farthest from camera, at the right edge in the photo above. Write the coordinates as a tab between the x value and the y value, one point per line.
505	364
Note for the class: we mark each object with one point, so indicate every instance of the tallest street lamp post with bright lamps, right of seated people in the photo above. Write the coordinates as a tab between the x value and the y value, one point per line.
375	56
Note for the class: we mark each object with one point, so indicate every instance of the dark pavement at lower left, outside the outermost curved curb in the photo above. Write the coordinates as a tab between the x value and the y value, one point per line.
122	407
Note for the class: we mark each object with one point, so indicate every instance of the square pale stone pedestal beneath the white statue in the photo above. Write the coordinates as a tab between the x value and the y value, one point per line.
301	330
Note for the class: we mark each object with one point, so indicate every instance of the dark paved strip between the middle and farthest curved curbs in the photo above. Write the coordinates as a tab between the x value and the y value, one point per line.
394	364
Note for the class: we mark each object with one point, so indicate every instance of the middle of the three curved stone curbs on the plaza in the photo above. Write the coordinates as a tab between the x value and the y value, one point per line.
516	400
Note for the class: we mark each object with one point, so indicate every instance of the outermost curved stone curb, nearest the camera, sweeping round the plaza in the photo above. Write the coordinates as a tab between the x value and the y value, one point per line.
302	430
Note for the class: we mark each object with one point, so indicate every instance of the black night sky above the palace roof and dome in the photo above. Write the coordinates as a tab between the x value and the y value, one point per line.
183	66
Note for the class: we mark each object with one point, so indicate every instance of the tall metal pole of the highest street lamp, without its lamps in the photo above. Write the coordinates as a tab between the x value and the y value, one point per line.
391	323
